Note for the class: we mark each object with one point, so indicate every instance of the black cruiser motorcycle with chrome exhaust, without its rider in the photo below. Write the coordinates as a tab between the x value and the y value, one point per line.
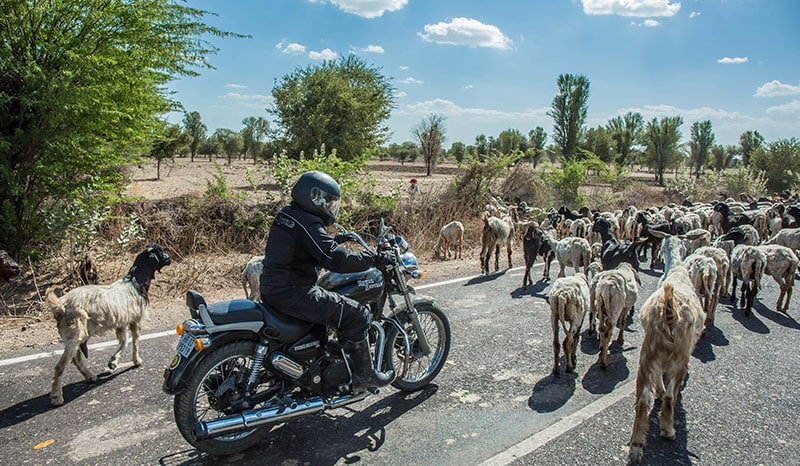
241	367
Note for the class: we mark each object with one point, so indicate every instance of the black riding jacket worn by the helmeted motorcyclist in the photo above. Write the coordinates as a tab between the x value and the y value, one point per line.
298	246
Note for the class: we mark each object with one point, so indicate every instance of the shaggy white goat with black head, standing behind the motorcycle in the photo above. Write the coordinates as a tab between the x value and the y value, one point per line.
94	309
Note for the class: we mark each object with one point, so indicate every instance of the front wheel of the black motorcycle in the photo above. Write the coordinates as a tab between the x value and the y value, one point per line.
421	369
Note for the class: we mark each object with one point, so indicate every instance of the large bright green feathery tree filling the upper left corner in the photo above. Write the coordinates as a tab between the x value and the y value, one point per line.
81	87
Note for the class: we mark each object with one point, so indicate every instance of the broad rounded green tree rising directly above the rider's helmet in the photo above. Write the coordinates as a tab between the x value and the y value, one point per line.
342	104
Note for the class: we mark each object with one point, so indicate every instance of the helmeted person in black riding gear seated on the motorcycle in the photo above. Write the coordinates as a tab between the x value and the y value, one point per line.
297	247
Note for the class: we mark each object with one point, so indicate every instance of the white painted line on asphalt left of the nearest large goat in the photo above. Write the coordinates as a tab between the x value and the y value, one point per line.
539	439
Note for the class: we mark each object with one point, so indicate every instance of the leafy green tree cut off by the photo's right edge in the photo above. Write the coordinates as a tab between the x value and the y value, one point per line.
781	164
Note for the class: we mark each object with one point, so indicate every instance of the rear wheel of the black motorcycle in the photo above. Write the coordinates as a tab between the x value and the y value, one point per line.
198	397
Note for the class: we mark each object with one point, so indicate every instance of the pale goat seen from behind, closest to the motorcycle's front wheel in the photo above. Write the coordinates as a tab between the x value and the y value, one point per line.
569	301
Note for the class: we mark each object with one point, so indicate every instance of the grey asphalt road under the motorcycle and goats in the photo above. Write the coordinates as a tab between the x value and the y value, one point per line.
495	402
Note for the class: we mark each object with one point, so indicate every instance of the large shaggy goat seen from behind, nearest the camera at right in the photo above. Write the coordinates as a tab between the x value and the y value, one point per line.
672	321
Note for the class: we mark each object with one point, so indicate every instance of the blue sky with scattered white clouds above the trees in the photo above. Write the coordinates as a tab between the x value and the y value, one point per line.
490	66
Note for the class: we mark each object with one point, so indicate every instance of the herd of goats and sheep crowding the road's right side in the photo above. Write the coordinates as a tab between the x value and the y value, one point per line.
705	249
